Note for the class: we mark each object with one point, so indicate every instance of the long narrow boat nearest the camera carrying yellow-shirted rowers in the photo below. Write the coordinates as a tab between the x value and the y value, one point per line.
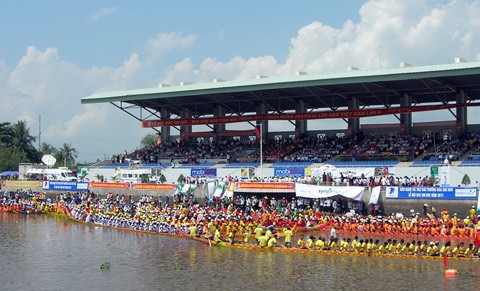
283	249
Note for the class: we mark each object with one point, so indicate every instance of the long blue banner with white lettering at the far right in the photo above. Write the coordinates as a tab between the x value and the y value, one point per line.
446	193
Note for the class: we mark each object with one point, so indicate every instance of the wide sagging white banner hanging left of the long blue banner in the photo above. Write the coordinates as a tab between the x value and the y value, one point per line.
314	191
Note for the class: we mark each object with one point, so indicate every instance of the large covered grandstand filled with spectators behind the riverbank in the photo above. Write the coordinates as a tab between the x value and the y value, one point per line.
347	96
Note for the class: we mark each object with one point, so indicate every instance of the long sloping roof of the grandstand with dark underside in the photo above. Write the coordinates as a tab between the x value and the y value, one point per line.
380	87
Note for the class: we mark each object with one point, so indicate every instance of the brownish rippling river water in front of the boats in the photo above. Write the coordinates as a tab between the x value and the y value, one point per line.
53	253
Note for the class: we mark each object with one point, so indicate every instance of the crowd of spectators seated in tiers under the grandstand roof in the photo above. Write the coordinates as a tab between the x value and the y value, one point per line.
308	149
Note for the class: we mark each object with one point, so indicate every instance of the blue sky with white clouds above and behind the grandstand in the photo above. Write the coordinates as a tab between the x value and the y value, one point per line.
53	53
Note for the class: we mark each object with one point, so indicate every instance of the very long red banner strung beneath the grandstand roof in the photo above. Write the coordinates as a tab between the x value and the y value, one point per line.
356	113
